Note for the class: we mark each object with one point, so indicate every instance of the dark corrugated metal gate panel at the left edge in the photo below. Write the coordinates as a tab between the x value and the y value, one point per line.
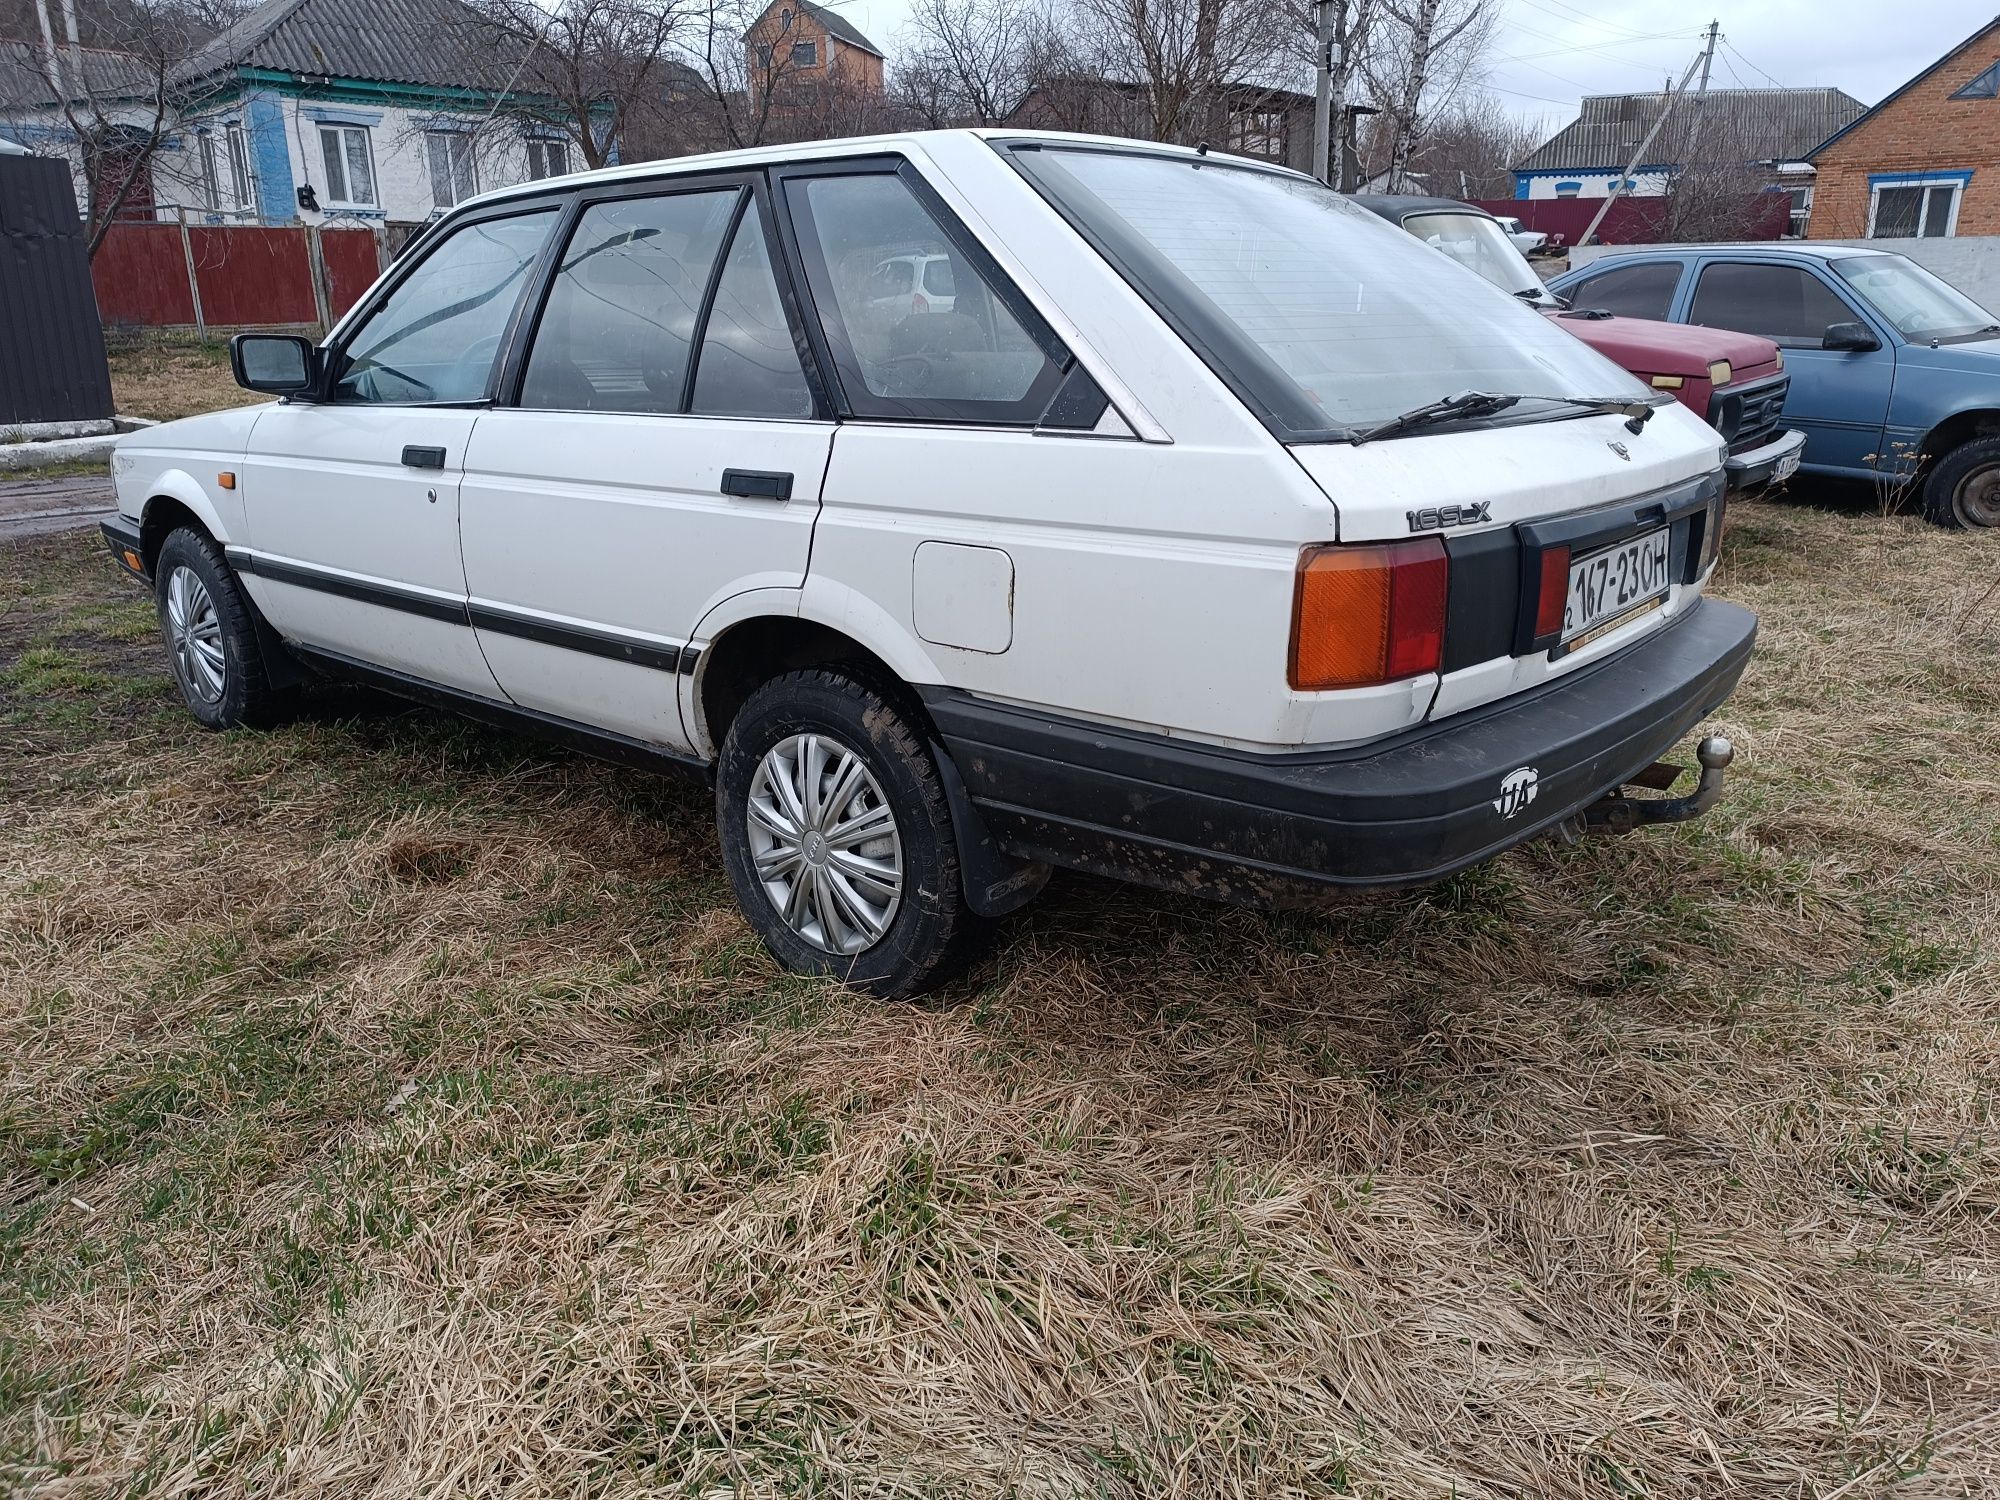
51	345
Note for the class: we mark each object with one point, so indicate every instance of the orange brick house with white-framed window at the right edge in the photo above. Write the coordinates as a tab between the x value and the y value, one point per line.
1921	163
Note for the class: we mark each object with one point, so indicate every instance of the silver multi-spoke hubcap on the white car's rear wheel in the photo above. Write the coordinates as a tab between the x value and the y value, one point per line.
825	845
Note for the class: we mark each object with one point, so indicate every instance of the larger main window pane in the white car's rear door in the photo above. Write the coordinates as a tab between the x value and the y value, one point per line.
621	315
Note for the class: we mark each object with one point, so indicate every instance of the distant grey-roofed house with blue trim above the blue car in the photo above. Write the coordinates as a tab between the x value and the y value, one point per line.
1771	129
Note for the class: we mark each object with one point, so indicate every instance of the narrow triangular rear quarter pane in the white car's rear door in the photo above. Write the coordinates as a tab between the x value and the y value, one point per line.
749	361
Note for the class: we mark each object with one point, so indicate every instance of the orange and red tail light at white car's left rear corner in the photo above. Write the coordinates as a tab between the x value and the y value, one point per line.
1365	615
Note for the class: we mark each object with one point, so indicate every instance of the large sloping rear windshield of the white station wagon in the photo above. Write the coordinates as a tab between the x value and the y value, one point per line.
1317	313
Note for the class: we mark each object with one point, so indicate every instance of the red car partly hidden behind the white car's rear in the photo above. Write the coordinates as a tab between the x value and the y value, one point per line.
1735	383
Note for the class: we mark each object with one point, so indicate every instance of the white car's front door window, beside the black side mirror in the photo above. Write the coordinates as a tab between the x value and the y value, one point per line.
437	335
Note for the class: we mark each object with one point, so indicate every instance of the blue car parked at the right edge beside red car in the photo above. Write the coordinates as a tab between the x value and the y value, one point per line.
1895	373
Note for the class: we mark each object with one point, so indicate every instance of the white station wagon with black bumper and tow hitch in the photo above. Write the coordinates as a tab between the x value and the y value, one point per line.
1211	533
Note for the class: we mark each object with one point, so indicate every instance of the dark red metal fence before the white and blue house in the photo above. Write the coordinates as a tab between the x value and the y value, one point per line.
219	277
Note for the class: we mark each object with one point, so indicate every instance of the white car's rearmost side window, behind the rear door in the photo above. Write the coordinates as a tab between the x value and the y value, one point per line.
911	341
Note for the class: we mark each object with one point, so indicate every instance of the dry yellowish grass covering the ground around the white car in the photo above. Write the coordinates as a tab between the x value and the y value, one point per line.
395	1109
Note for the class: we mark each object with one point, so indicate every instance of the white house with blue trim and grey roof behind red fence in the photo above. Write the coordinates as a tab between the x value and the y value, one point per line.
343	113
